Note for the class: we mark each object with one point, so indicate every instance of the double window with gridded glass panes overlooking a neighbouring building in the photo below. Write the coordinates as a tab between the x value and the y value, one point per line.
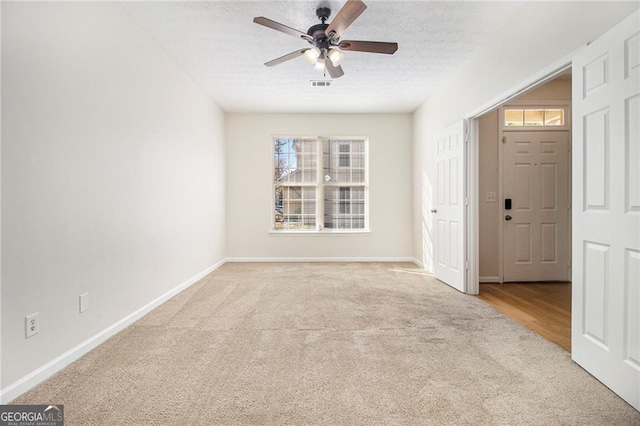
320	183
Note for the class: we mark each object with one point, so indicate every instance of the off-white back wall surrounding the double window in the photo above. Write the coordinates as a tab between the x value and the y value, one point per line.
250	183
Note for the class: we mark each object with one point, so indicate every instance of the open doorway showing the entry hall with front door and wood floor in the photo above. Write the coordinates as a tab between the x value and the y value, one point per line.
525	247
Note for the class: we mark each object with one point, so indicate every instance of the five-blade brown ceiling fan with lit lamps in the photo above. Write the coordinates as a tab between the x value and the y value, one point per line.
326	52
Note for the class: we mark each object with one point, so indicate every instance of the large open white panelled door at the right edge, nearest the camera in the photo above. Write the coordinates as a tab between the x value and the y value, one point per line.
606	209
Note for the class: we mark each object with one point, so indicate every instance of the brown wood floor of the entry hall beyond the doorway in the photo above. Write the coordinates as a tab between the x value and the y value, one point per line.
541	307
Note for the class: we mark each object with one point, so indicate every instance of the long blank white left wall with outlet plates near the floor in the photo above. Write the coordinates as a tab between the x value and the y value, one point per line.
113	176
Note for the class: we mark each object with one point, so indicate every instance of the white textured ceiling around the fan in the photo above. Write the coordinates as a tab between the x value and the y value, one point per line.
219	46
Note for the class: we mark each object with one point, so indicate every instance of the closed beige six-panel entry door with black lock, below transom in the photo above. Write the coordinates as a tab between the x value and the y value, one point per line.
536	224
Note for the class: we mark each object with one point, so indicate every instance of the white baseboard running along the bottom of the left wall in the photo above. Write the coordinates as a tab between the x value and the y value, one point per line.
37	376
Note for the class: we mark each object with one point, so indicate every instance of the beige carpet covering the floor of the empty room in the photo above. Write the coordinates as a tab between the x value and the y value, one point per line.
333	344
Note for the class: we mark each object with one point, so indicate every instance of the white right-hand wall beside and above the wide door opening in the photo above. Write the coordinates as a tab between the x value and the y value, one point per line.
538	36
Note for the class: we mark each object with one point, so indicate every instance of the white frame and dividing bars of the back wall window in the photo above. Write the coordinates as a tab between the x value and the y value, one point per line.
320	184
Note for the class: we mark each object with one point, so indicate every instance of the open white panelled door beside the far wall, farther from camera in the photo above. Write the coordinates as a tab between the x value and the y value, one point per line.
449	214
